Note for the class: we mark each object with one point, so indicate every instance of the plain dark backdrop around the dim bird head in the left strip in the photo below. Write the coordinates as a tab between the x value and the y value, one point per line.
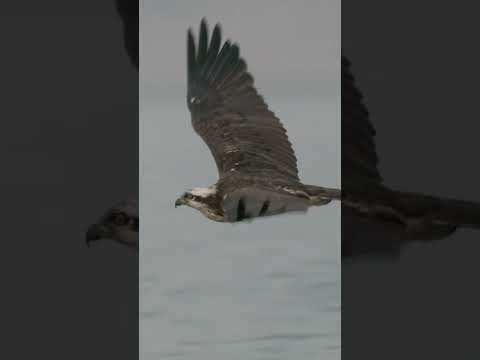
69	151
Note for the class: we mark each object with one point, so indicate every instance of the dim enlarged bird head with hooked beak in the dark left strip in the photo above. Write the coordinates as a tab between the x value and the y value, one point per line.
119	223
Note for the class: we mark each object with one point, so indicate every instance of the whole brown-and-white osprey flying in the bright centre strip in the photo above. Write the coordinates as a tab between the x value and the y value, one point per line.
257	167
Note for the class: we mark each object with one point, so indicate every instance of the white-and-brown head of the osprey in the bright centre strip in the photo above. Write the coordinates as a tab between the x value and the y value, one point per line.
204	200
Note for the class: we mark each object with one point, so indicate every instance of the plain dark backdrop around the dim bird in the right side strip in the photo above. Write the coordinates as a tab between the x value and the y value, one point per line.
417	66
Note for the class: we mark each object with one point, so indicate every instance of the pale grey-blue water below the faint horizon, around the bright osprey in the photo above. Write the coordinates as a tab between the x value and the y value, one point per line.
269	289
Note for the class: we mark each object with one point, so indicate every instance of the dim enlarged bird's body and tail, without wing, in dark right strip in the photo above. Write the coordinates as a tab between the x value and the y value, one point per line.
382	221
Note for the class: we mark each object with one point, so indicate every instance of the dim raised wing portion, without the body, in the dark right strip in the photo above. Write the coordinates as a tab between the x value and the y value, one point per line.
359	157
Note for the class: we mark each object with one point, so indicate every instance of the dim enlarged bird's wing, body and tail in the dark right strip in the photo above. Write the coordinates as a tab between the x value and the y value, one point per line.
376	219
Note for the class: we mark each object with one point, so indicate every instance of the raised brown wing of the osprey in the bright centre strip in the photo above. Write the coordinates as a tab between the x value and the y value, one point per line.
231	117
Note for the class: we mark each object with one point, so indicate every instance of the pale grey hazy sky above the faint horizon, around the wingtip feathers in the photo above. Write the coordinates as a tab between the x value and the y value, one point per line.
290	46
